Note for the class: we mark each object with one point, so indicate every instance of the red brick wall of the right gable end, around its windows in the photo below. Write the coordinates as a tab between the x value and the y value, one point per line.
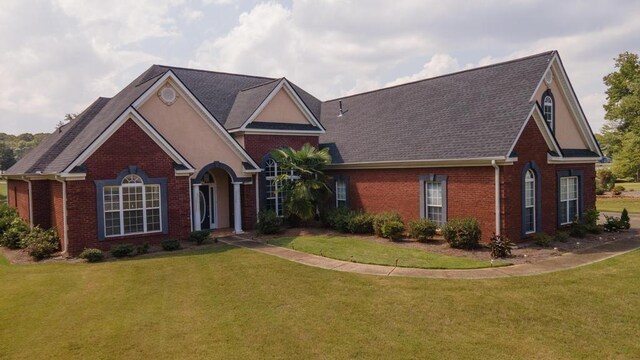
532	147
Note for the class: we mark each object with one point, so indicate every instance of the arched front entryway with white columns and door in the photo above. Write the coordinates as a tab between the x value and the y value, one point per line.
216	198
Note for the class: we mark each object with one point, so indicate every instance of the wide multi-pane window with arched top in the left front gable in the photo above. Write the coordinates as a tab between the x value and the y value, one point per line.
132	207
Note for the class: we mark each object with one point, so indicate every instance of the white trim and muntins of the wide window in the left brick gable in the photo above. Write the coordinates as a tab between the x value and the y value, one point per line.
144	208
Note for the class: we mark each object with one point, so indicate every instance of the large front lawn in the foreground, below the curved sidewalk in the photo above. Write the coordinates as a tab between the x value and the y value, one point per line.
235	303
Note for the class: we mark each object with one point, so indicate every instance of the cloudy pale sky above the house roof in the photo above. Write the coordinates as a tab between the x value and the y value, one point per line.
58	56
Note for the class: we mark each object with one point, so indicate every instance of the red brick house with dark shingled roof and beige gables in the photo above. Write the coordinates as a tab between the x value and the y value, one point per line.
181	149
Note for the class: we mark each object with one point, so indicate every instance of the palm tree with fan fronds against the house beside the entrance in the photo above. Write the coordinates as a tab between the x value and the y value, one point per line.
303	179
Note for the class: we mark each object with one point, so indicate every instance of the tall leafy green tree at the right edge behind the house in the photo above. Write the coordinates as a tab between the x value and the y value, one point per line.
620	136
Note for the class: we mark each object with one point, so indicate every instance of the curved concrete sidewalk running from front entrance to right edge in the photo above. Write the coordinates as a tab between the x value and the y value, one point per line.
558	263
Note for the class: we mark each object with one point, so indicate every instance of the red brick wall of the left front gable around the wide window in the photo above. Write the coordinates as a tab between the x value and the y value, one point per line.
127	146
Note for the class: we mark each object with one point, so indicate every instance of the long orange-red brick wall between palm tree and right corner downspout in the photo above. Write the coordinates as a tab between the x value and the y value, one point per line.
470	192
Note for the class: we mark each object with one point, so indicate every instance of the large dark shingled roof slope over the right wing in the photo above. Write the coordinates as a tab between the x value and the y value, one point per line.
475	113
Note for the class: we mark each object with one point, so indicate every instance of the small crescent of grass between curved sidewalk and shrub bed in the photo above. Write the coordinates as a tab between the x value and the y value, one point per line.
362	251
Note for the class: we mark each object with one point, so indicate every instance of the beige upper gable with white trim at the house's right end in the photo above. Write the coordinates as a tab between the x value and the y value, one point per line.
572	130
